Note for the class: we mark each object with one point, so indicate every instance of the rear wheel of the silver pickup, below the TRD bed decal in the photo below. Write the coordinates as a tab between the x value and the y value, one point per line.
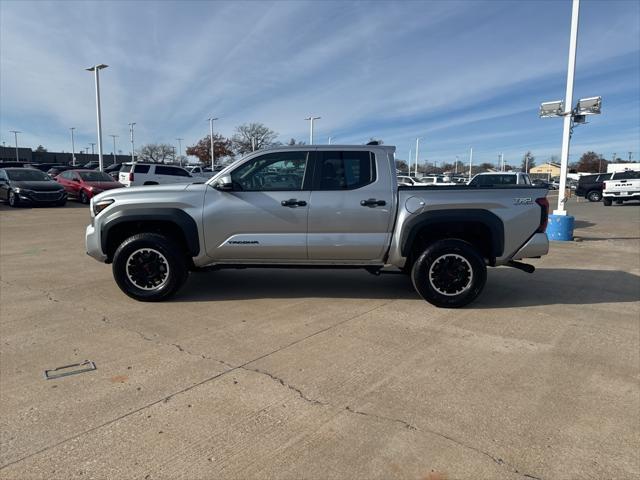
450	273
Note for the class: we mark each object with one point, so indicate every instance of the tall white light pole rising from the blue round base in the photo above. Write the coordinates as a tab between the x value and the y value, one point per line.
568	102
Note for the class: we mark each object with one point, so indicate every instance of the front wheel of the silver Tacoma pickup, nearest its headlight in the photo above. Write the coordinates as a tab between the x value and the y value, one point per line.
149	267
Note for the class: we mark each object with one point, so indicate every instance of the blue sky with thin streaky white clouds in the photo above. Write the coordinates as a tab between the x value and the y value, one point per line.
455	73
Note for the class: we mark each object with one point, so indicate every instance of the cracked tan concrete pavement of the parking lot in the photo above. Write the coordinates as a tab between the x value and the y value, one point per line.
320	374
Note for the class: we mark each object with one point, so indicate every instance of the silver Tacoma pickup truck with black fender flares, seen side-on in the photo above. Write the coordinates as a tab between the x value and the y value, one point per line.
317	206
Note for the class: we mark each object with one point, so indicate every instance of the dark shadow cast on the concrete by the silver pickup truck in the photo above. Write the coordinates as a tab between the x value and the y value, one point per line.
505	288
